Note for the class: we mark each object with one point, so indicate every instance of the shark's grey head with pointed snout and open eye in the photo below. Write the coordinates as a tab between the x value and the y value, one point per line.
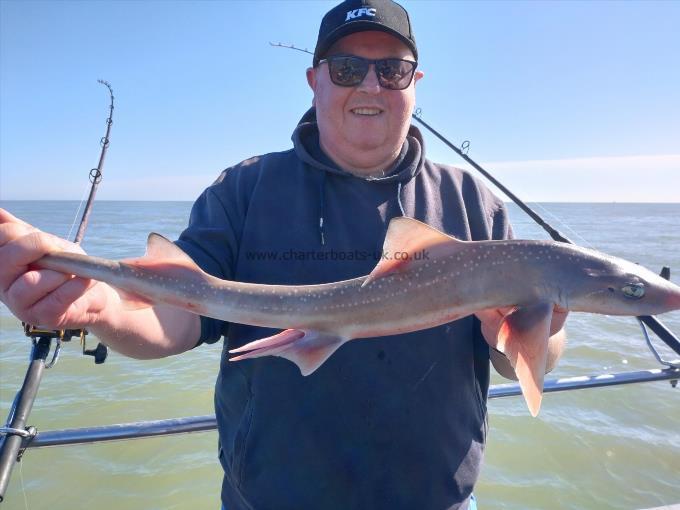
619	287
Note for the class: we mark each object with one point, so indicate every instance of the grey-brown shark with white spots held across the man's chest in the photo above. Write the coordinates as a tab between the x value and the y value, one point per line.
449	280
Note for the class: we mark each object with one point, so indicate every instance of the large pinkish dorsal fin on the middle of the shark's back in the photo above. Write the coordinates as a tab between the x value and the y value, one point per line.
409	242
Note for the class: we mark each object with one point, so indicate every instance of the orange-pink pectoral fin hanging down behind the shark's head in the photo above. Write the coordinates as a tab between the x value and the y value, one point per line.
523	338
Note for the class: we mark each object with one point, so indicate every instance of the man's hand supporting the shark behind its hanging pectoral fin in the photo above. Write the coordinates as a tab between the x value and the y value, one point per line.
491	323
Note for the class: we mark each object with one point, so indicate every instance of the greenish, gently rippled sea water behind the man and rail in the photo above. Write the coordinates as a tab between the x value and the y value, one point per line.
606	448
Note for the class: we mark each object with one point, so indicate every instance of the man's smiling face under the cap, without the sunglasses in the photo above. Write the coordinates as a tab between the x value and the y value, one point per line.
362	128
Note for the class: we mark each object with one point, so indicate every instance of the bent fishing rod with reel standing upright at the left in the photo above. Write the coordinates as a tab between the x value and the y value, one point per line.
15	436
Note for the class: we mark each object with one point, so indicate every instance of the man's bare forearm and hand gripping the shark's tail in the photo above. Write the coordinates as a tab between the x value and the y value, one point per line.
54	300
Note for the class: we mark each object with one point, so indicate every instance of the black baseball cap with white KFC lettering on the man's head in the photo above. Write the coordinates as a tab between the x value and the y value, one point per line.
362	15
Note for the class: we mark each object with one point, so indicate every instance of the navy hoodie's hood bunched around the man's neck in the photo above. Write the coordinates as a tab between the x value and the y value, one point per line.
408	164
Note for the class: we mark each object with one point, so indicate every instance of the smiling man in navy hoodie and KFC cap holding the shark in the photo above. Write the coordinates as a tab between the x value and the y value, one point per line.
393	422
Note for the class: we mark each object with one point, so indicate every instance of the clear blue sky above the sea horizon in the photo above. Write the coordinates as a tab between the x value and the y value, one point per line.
566	100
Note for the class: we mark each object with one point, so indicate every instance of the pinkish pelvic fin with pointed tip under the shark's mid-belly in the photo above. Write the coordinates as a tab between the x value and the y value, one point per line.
308	349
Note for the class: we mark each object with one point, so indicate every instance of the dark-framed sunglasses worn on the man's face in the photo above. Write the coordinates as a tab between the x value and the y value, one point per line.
350	71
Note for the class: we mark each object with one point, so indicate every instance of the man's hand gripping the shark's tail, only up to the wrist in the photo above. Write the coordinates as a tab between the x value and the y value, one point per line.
39	296
